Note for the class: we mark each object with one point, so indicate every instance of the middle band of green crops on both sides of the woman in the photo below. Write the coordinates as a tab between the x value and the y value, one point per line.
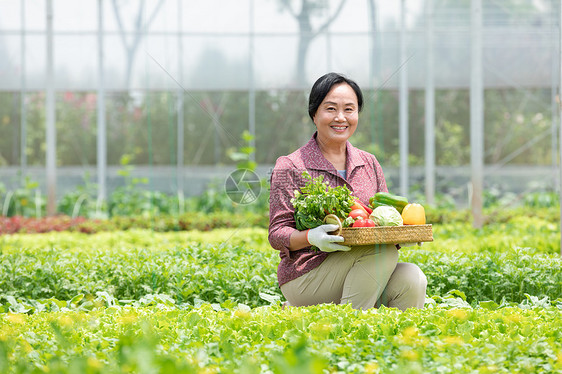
238	264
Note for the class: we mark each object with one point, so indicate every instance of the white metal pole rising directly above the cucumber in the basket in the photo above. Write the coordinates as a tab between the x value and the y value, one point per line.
403	105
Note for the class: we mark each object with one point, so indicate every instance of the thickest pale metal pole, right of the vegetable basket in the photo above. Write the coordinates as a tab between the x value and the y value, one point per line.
476	113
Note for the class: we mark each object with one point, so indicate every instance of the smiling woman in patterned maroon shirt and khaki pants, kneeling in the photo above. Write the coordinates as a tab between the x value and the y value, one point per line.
365	276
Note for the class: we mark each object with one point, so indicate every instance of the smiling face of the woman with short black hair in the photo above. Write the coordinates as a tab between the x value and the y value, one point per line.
337	116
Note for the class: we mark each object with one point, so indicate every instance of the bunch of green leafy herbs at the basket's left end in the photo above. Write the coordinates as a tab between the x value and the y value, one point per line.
317	199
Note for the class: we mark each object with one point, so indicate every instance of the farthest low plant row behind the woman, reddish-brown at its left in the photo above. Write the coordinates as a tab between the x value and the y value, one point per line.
236	217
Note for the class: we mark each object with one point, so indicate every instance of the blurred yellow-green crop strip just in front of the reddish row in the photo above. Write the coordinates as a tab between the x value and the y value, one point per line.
540	234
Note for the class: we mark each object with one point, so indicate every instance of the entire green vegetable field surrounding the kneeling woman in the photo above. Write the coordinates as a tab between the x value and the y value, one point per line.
140	301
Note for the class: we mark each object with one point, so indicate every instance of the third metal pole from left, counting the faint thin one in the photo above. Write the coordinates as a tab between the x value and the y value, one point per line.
102	130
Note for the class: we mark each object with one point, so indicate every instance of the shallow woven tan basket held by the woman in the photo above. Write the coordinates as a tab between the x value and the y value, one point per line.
386	234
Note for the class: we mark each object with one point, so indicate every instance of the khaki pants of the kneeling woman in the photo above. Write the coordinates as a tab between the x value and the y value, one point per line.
366	277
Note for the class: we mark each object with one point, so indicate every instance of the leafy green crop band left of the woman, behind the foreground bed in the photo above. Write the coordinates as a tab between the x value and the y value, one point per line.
128	266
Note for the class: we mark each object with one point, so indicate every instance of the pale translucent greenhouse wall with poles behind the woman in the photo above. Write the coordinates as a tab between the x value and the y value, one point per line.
92	87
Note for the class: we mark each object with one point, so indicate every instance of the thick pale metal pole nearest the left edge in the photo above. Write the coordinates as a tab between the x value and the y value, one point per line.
51	135
